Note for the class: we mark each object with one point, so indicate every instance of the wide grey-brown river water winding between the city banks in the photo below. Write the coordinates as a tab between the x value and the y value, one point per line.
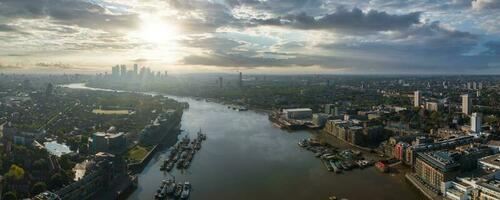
246	157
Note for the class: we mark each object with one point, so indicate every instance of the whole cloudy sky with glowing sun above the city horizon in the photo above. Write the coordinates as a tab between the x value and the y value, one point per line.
252	36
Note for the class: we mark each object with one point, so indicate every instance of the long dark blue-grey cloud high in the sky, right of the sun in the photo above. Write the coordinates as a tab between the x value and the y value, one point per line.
347	20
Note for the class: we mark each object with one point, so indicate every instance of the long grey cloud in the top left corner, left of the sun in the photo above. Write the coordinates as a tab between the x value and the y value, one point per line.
68	12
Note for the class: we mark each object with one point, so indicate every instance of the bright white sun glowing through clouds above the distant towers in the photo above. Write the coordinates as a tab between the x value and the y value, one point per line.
155	30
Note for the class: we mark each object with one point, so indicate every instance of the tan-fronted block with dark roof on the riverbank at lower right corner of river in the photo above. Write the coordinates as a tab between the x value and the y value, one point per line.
434	168
